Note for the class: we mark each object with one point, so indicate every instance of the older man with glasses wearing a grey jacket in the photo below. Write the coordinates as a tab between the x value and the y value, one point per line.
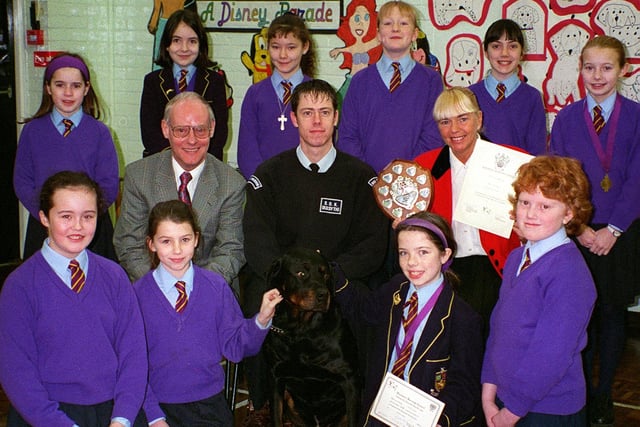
187	172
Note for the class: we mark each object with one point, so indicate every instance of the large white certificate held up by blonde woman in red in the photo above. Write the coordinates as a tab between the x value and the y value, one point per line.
483	201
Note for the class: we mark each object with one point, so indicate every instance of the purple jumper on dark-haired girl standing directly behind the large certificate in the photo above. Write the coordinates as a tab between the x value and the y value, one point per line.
519	120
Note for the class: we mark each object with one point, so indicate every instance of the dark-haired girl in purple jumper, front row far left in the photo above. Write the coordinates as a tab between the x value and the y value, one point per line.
70	327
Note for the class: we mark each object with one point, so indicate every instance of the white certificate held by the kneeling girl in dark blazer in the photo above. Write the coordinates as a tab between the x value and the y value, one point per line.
400	404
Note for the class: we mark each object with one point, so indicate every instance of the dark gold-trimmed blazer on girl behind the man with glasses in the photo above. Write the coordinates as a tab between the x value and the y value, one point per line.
159	88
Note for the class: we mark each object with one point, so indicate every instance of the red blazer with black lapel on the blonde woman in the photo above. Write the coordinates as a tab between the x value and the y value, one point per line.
437	161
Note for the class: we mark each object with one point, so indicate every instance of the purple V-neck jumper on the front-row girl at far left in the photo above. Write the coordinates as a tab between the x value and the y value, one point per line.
59	346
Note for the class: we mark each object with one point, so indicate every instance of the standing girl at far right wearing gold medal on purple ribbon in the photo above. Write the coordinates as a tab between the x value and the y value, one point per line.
602	131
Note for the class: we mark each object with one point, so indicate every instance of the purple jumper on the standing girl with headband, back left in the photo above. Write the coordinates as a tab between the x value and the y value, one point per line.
42	151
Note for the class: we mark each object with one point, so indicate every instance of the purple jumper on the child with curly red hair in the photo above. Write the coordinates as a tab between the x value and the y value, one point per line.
538	329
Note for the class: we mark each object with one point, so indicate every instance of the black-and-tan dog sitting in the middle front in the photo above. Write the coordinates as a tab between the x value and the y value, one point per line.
310	349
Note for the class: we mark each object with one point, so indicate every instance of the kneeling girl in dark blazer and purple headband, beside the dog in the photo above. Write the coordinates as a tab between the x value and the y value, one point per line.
423	332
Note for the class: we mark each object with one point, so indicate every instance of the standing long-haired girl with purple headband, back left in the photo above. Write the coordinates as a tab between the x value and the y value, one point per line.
66	134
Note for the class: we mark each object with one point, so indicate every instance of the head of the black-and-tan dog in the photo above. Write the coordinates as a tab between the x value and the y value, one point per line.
303	277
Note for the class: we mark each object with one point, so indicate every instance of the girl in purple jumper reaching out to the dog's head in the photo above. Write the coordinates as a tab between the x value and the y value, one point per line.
191	316
